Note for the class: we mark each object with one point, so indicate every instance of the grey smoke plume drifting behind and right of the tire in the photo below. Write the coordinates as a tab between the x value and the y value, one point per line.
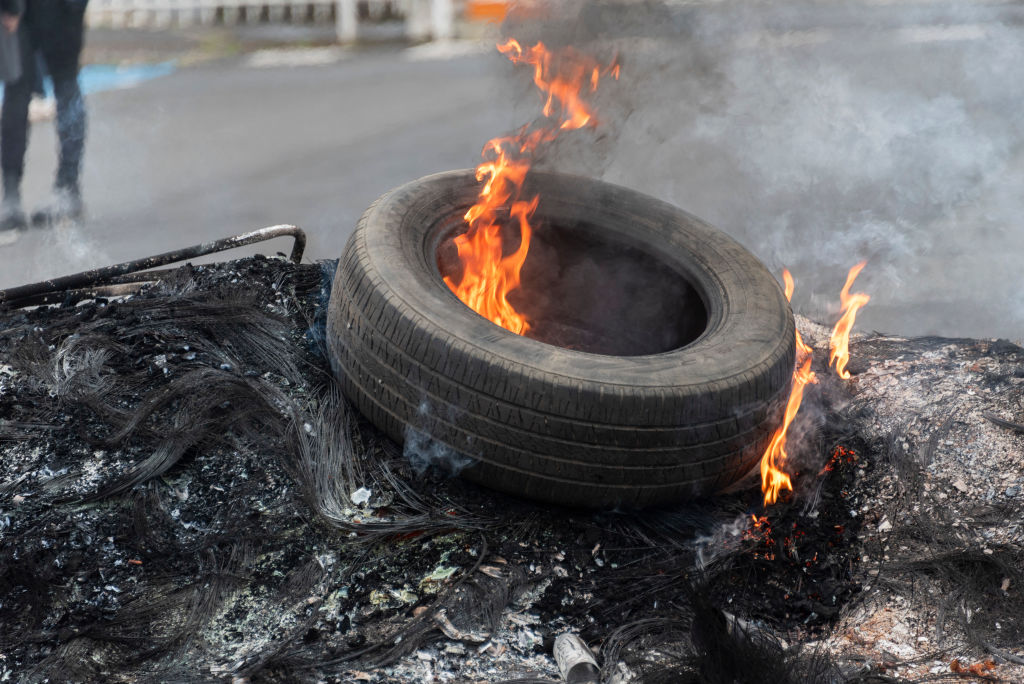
820	136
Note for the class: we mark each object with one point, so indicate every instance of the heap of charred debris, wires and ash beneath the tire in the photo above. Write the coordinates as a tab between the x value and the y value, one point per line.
184	497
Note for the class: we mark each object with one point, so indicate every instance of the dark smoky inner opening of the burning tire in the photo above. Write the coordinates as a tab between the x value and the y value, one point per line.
585	291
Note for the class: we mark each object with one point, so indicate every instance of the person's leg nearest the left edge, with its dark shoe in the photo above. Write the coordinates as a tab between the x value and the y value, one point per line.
15	137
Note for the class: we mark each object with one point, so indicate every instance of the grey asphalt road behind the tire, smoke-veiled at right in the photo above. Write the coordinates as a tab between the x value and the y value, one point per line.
817	134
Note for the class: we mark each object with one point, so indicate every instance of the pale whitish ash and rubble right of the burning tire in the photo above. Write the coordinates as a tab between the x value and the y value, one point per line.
927	402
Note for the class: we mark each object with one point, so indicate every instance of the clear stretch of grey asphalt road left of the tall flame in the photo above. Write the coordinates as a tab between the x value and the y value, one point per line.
223	149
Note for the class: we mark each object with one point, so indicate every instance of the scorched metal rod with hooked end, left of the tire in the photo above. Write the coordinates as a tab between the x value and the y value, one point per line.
97	277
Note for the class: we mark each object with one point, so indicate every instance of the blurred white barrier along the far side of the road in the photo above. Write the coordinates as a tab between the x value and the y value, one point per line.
424	20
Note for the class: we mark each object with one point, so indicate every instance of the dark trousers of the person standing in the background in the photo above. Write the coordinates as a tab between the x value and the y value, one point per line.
55	30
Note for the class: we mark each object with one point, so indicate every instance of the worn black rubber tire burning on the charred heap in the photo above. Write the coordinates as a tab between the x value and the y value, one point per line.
662	360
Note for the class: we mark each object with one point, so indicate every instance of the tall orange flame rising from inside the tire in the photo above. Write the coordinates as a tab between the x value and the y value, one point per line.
489	275
